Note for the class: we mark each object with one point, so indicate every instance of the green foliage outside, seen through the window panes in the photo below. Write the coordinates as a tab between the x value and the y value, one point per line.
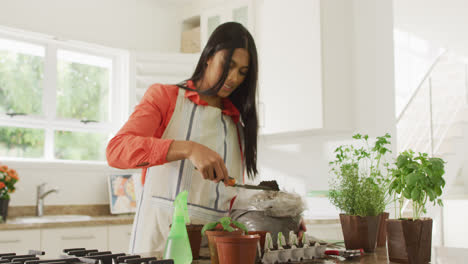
82	93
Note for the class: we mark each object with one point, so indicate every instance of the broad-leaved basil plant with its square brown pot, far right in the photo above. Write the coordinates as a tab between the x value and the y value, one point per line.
419	179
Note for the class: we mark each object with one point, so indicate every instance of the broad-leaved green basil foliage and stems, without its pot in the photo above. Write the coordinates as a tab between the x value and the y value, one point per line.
419	179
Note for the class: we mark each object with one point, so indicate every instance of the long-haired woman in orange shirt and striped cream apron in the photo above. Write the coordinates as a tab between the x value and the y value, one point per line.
193	136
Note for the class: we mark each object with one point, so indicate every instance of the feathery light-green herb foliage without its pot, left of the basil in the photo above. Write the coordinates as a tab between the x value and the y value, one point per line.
360	178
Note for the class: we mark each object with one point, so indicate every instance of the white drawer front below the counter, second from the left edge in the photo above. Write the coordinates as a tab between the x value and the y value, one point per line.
54	240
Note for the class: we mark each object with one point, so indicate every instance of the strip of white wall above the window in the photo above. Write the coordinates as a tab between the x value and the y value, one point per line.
128	24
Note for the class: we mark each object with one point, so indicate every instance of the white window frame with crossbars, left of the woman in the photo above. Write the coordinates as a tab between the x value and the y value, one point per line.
119	92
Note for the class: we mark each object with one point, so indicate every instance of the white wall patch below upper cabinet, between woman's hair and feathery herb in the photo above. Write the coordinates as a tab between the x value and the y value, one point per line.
299	161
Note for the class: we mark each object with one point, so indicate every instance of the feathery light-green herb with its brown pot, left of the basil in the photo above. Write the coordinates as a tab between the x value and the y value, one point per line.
359	189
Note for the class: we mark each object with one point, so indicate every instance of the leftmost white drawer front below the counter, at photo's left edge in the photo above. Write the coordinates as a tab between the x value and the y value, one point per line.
20	241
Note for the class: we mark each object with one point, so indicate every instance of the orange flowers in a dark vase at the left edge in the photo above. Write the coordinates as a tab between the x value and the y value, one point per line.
8	179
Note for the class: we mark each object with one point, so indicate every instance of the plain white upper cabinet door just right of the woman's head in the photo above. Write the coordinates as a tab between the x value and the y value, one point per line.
290	78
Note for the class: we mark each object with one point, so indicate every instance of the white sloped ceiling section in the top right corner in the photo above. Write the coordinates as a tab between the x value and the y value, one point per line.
443	22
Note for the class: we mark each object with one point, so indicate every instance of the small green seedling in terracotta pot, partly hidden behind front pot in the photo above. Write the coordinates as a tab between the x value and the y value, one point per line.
224	227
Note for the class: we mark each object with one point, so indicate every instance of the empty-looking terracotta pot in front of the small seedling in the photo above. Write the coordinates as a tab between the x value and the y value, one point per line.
237	249
